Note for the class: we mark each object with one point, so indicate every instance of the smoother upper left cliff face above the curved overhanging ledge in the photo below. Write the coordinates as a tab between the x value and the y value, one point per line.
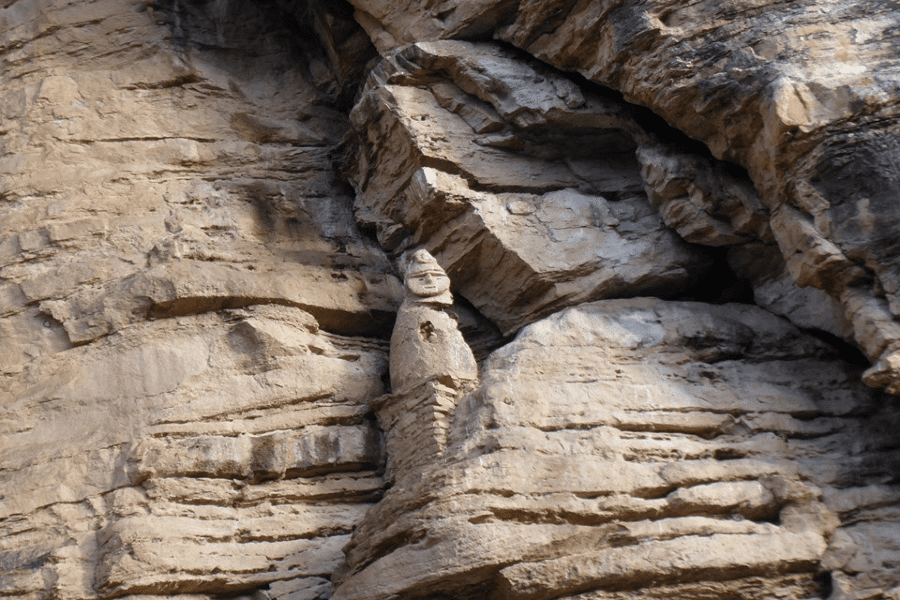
129	194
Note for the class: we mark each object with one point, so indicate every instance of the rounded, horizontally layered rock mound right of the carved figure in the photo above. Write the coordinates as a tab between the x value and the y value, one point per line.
631	444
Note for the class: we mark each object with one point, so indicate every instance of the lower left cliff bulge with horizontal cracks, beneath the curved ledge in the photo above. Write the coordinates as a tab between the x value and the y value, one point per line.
161	481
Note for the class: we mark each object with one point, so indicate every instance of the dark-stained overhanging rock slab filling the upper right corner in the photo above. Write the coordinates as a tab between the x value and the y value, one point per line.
802	94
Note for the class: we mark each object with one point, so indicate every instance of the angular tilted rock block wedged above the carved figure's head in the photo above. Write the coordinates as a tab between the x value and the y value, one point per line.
525	186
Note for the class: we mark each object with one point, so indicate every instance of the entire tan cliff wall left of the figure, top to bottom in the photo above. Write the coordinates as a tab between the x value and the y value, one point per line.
164	165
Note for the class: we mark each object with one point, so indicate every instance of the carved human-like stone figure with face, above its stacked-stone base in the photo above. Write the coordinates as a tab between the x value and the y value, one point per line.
426	343
